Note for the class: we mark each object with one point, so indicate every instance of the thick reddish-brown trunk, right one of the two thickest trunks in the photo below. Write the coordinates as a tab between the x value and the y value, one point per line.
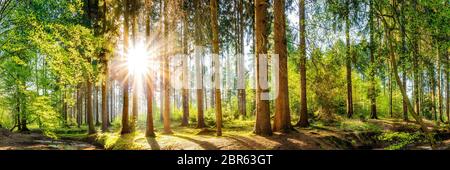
282	119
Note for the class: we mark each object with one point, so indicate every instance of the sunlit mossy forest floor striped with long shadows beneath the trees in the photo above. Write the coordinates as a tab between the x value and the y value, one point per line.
347	134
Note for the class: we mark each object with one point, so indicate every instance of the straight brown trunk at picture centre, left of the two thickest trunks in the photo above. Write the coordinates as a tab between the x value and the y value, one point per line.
215	44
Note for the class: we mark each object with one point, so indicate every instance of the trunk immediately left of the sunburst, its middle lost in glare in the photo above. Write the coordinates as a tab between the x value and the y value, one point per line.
125	121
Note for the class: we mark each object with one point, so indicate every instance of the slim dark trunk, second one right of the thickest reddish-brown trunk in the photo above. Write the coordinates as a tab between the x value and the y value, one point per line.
348	64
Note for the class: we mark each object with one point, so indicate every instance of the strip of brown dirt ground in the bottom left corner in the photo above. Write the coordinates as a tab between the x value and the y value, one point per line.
37	141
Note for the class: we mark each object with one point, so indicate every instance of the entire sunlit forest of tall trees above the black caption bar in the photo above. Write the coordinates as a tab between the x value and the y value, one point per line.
224	74
